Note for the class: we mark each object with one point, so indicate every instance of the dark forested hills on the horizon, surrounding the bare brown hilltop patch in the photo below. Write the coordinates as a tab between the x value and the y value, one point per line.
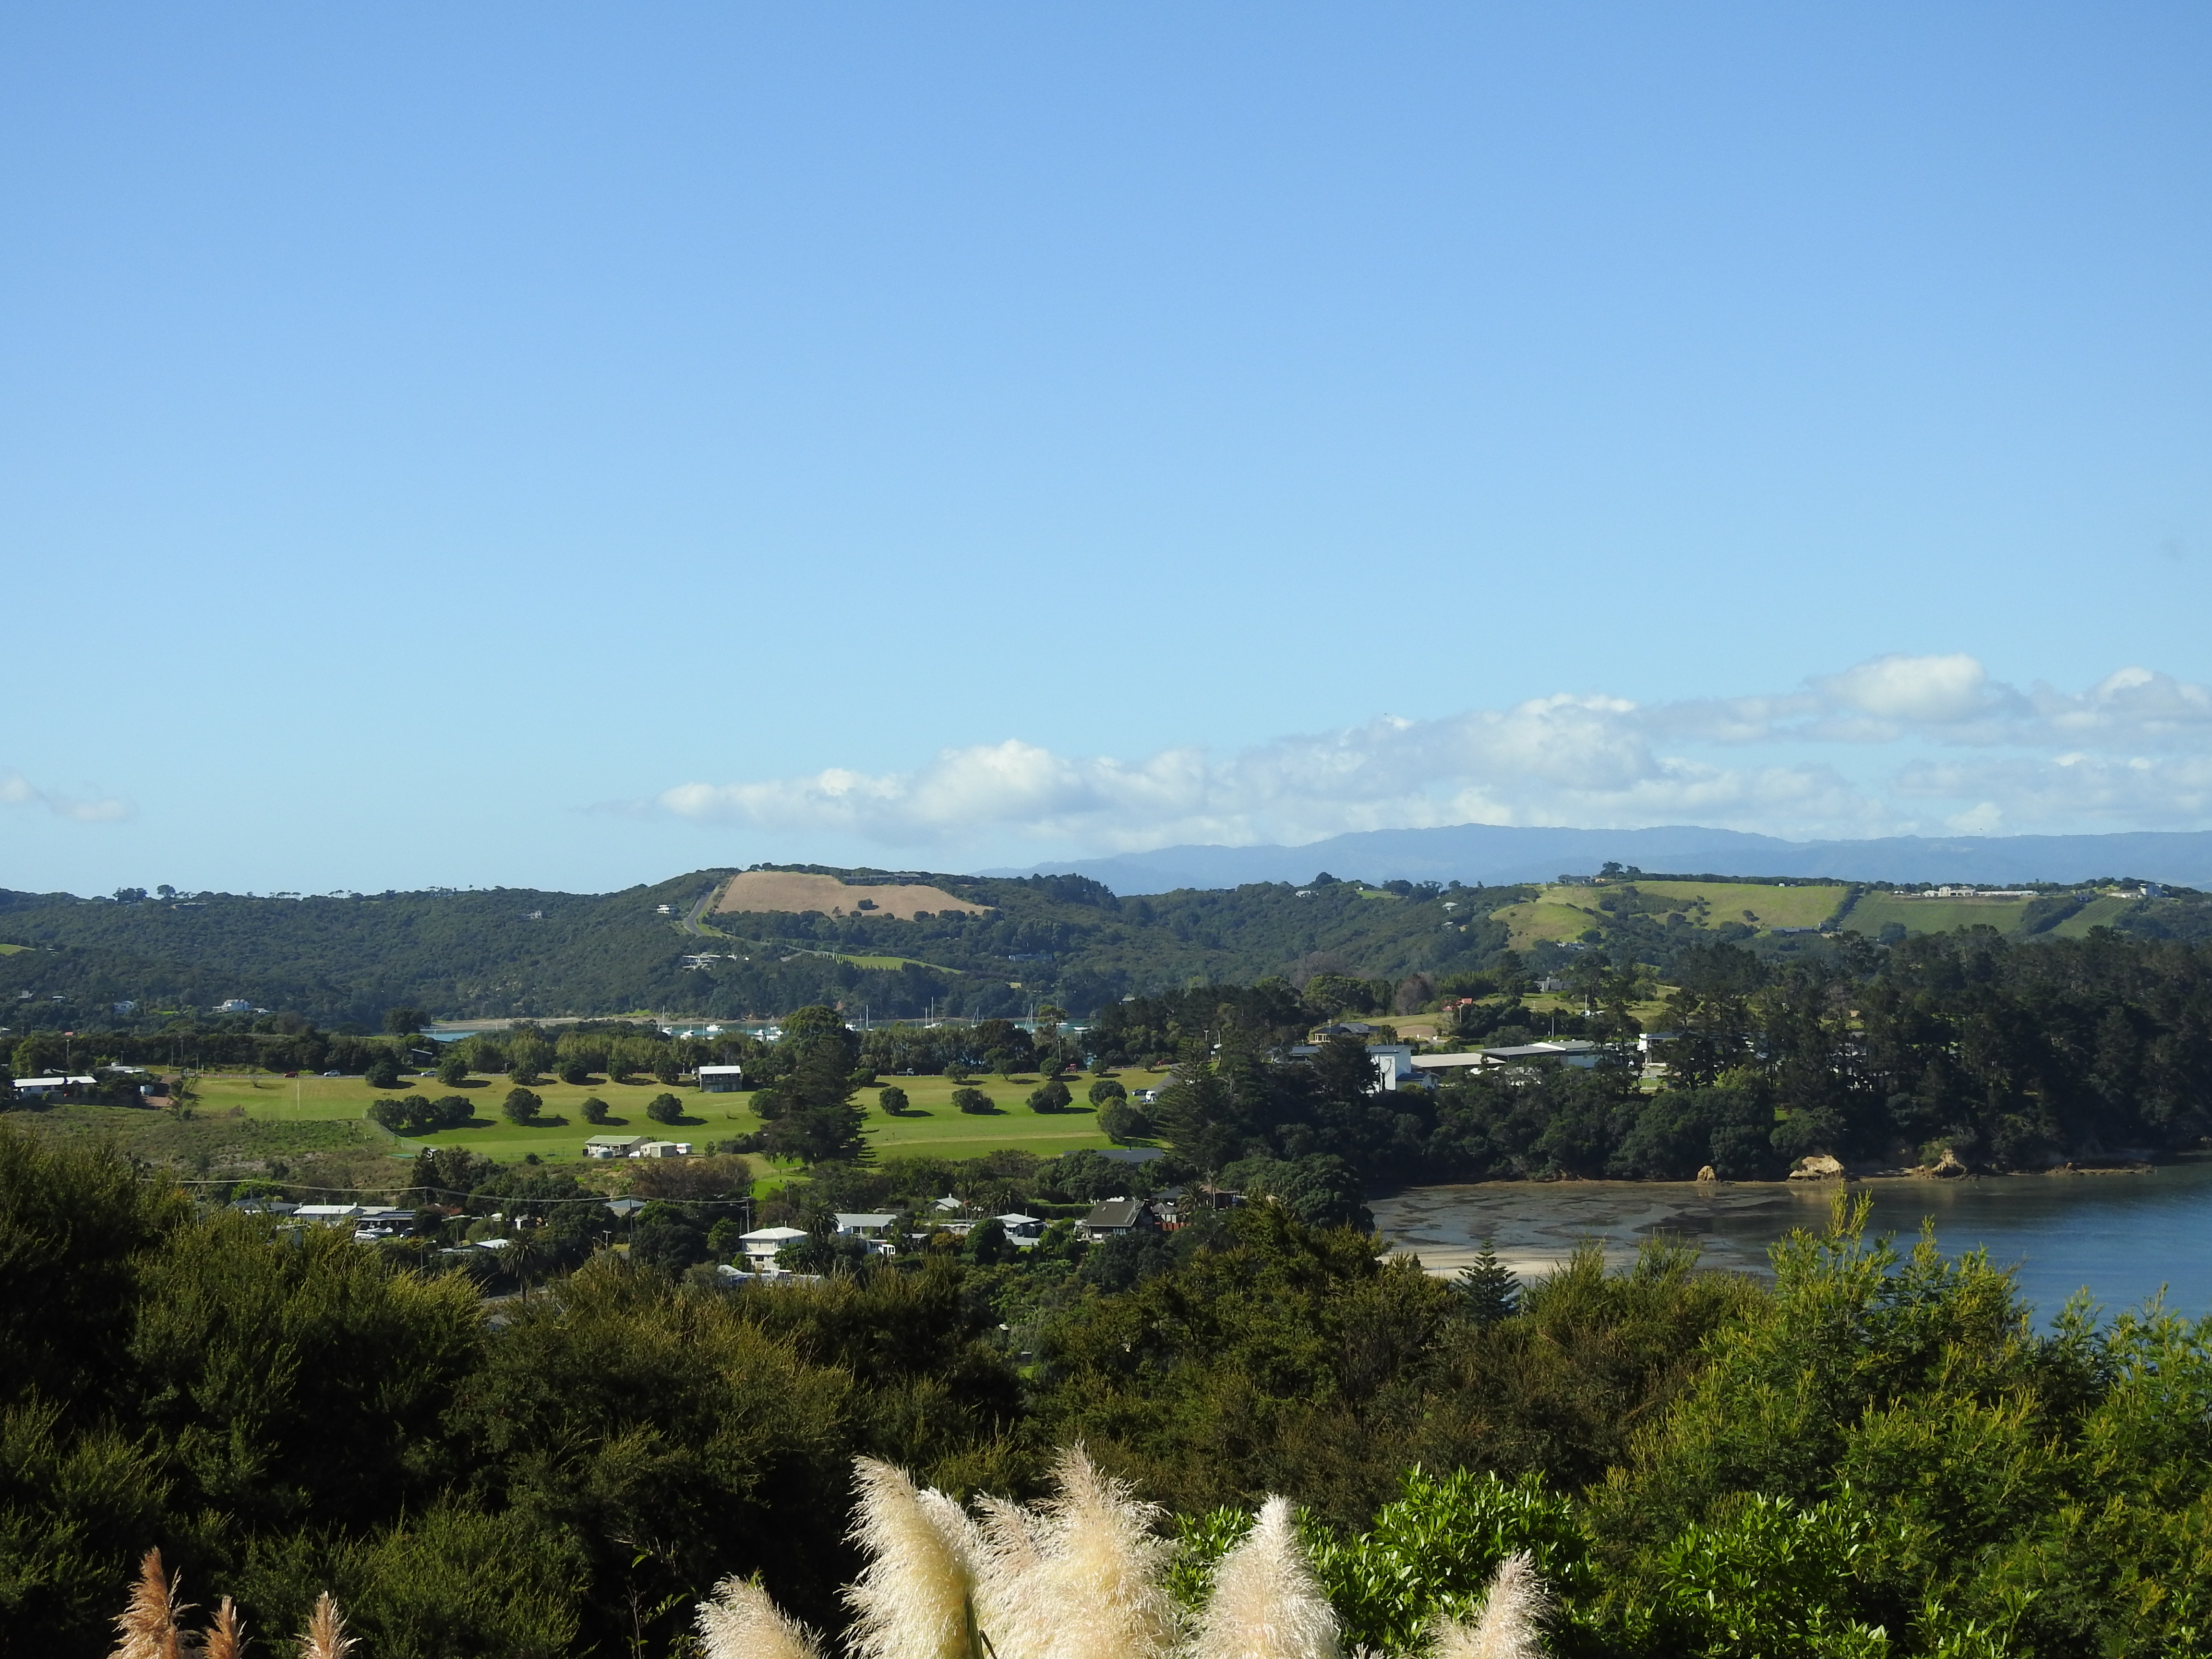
346	959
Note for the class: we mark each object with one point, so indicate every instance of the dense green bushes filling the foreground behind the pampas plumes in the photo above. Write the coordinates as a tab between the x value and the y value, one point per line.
1872	1457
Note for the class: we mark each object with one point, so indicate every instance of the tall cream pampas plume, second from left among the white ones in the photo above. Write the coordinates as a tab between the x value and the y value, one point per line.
917	1598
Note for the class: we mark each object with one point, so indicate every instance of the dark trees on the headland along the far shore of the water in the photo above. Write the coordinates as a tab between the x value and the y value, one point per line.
2005	1056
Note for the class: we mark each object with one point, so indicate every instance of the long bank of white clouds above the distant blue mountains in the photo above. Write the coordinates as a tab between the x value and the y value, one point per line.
2131	751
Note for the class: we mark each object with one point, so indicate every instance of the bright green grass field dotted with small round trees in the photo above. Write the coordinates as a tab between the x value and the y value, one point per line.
930	1127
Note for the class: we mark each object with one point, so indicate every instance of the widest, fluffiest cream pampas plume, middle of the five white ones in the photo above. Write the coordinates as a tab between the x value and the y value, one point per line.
1083	1576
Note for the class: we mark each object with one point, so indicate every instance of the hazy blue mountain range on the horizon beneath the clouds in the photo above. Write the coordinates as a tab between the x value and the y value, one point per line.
1494	855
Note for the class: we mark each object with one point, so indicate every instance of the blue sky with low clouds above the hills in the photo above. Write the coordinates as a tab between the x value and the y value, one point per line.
565	446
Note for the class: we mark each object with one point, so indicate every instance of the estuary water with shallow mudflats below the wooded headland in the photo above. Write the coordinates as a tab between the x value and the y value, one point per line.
2120	1235
